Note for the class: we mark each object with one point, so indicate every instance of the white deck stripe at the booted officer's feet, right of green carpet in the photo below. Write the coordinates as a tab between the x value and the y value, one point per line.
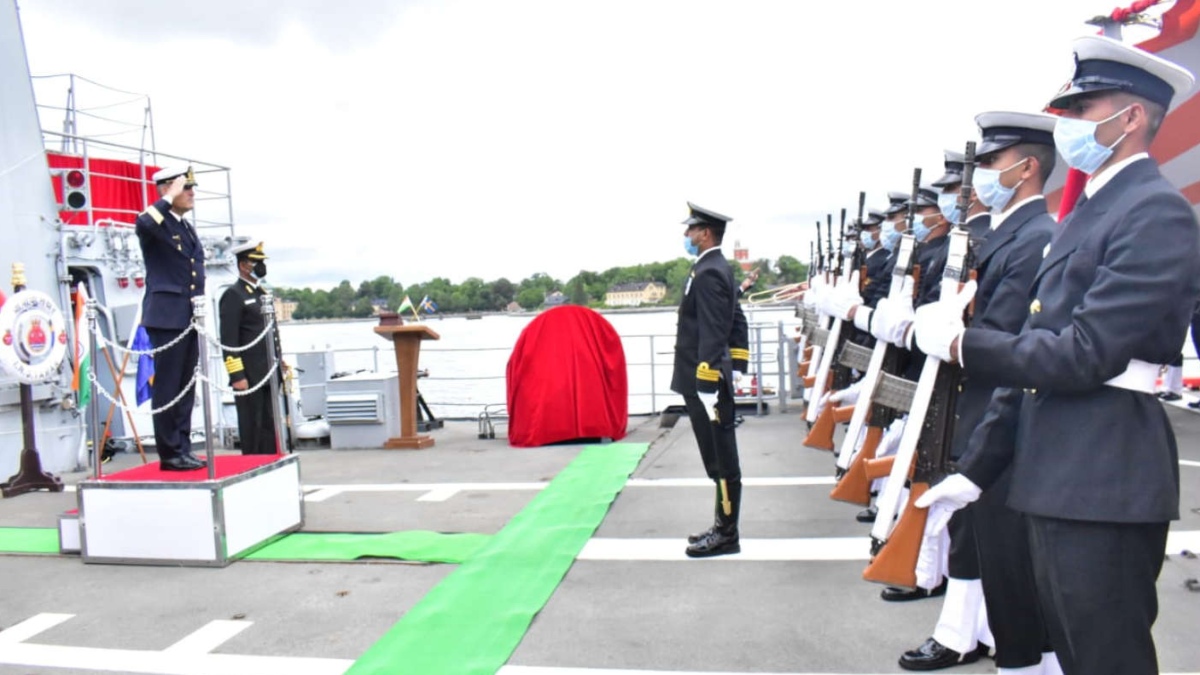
782	551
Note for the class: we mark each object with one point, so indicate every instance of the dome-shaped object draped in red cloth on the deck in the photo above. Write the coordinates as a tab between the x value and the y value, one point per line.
567	380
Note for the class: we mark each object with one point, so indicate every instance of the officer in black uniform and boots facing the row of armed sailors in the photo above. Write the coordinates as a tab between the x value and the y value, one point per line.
704	374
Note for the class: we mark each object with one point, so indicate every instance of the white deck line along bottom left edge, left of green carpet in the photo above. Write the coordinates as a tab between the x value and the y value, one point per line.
166	664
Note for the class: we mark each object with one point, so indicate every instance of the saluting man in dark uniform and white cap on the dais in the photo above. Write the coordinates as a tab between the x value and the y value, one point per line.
175	260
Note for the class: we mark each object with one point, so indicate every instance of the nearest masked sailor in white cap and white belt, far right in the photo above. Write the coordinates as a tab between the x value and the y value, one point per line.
1094	459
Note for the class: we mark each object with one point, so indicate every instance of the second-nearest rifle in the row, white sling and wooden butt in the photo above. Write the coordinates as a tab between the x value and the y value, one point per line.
855	483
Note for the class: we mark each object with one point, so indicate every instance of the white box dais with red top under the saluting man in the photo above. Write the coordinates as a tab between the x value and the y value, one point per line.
146	516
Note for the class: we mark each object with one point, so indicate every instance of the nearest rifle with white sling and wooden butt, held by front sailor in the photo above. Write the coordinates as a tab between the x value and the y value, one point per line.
927	435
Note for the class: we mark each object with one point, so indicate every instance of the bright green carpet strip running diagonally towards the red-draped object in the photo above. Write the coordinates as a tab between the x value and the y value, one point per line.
473	620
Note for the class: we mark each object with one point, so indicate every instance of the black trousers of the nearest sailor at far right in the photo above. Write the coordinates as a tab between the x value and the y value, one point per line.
1096	583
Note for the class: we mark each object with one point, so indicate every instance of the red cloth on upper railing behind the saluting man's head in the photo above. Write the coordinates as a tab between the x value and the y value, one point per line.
118	190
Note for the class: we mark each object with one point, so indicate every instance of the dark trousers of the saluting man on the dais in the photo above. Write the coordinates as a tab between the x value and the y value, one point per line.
173	369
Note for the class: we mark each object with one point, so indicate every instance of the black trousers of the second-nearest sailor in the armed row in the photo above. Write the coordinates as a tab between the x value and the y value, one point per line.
1007	572
